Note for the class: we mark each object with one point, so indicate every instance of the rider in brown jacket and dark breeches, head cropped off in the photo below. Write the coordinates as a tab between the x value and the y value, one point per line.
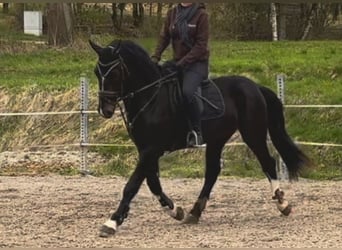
187	27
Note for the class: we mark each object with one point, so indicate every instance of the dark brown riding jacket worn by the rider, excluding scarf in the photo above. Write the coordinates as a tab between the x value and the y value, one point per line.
198	31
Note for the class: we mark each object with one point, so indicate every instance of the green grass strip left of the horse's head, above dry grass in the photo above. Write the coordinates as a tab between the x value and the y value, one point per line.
48	69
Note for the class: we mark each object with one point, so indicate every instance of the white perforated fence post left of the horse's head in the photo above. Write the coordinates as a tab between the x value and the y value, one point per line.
84	124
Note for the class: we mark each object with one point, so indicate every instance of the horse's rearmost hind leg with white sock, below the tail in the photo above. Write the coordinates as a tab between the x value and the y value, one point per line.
257	143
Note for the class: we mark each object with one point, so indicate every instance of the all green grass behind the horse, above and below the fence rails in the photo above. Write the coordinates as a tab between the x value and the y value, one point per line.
313	76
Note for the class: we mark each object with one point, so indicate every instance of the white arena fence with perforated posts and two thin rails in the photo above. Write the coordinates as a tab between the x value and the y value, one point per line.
84	144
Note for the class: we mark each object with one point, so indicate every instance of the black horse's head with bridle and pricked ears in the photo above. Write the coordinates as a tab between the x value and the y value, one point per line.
110	71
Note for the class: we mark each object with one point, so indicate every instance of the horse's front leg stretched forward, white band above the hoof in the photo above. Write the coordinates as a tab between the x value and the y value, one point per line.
132	187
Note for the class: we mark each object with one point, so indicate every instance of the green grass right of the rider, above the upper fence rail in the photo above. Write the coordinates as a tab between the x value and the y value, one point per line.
310	67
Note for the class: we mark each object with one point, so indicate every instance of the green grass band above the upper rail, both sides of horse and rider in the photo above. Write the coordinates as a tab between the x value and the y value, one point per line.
312	69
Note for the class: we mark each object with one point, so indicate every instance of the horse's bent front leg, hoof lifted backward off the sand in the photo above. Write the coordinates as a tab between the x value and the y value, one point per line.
153	182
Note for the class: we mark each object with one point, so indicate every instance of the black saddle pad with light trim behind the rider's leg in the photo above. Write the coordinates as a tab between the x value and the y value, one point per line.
212	101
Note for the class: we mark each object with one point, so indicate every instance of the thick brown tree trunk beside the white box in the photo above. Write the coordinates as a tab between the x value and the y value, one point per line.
60	24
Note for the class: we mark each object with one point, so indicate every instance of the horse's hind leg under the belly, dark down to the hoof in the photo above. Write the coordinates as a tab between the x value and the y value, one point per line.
213	169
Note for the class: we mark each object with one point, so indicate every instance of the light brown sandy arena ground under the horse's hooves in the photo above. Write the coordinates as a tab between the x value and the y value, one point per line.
56	211
